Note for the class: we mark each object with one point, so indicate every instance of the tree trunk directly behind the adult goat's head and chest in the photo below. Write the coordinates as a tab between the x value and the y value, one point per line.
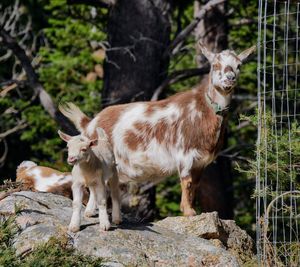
214	191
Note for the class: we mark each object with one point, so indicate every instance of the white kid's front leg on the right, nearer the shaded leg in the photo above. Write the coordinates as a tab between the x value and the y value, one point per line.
100	194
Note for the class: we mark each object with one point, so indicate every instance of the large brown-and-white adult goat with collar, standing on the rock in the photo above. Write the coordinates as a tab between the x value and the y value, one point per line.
183	133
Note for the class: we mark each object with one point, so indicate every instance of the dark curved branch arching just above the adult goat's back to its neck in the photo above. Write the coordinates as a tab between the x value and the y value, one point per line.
179	76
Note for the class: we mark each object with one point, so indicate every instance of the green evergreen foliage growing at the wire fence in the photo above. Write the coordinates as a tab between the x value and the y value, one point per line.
279	154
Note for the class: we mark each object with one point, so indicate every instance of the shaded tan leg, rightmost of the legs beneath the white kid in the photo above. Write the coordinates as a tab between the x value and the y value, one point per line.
115	199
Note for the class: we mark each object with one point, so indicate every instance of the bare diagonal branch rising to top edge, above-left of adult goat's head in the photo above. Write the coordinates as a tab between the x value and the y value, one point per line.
185	32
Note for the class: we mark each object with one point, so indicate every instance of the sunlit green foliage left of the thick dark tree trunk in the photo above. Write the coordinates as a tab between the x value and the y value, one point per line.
65	61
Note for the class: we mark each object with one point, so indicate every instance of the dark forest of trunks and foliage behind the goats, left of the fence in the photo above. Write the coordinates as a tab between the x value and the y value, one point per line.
99	53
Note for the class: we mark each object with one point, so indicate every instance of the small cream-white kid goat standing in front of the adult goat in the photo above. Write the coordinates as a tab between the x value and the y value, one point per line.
94	165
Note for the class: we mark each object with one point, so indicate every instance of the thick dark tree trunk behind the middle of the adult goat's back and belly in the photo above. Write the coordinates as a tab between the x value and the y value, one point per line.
138	34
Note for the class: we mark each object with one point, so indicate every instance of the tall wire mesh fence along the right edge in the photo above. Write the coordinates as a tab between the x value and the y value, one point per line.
278	145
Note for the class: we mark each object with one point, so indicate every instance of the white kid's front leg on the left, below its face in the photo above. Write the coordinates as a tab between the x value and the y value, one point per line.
77	190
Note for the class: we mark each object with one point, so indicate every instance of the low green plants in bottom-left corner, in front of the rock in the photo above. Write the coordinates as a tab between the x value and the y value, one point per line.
55	252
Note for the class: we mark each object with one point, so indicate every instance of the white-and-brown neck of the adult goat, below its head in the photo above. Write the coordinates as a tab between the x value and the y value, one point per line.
216	97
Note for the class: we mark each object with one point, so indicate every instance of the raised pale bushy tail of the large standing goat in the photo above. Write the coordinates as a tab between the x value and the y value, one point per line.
75	115
